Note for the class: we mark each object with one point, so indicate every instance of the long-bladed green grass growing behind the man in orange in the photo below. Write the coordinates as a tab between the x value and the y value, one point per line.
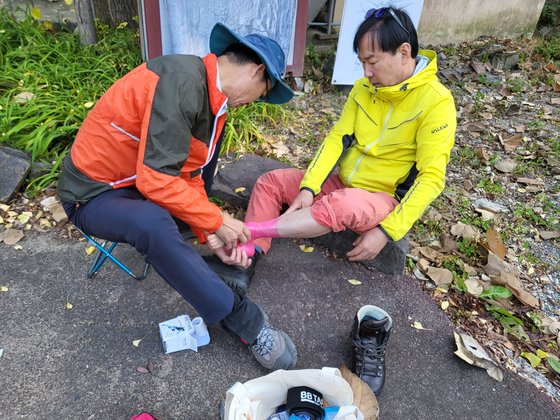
49	82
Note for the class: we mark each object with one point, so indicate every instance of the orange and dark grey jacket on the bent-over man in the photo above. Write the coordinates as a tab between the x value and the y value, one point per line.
155	129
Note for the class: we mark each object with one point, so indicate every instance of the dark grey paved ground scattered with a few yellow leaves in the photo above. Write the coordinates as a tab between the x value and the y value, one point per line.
81	363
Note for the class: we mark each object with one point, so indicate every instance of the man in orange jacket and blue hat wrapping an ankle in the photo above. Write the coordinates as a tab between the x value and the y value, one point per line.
141	159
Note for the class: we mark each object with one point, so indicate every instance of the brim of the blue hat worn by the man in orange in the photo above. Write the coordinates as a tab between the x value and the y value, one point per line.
222	37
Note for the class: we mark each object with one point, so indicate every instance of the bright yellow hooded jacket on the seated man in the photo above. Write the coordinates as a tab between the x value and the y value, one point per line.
394	139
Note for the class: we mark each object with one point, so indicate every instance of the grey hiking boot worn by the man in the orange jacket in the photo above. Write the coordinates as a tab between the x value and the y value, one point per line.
274	349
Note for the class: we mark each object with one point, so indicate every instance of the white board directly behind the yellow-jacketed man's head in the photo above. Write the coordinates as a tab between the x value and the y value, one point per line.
347	67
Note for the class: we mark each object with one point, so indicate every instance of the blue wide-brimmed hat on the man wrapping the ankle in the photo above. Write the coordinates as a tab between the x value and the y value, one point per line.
266	48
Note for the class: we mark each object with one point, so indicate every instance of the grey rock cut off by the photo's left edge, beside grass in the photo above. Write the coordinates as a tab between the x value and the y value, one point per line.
14	167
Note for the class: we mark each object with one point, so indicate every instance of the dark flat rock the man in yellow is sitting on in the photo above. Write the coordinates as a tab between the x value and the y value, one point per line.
244	173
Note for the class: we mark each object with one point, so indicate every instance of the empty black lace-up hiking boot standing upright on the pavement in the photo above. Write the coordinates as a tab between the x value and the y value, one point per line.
370	333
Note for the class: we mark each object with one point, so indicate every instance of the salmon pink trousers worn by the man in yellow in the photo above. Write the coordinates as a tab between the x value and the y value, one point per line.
337	207
